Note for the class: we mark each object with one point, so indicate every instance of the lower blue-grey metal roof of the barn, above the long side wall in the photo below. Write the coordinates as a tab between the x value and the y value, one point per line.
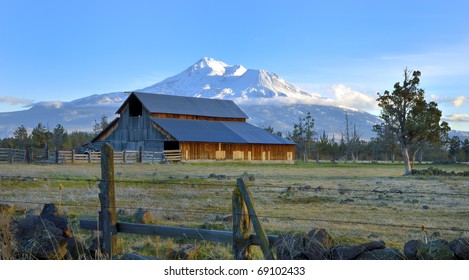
214	131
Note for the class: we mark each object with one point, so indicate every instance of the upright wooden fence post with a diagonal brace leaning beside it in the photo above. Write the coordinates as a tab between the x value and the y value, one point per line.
241	228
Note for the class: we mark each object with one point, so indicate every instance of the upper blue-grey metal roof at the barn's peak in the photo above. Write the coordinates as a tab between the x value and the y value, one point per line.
172	104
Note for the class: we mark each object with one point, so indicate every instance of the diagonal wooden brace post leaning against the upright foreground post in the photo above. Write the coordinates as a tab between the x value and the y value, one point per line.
258	227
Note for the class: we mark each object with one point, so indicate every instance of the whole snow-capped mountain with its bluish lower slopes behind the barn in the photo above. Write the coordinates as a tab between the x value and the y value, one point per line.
265	97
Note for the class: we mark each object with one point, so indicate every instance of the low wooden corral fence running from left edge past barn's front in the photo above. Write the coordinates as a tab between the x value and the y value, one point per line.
33	155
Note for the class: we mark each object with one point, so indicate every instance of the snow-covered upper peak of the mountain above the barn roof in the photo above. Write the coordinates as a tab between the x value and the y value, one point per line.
210	78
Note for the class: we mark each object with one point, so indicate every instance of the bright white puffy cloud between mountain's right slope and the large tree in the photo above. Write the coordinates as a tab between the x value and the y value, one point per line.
345	96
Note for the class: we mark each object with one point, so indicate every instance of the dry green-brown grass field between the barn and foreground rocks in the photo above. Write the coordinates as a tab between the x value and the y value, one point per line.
354	202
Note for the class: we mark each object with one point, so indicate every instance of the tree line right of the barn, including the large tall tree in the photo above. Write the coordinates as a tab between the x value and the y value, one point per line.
411	131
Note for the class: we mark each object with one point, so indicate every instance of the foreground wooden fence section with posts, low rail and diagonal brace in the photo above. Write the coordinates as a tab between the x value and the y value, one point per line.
244	214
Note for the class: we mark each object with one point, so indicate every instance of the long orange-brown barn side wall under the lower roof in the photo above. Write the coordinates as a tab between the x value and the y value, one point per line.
230	151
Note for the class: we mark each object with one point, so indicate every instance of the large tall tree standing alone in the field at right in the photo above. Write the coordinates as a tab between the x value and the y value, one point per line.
408	116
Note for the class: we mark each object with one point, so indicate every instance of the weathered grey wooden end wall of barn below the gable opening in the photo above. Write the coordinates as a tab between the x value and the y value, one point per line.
131	133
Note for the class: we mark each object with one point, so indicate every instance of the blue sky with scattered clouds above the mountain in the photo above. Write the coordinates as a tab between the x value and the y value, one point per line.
344	50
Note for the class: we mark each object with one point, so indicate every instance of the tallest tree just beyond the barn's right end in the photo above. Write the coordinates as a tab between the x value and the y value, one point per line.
302	135
